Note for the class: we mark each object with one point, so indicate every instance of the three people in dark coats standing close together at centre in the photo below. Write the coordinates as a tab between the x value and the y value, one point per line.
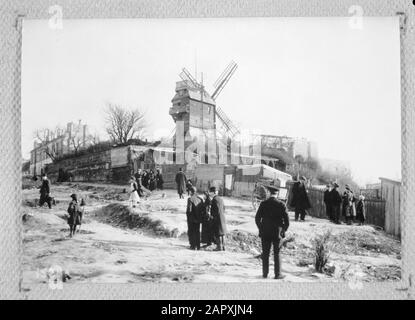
206	221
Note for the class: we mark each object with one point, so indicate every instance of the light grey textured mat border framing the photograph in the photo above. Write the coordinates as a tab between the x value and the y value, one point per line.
13	12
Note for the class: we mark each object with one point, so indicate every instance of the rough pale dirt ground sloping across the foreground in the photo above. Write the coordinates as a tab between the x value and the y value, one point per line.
149	243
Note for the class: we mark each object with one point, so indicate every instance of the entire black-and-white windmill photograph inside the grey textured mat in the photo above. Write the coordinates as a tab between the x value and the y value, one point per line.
211	150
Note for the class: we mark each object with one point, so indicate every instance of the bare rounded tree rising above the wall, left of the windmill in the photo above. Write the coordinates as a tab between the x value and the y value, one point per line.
123	124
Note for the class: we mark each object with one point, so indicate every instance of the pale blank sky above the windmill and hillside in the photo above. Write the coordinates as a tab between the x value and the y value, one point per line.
303	77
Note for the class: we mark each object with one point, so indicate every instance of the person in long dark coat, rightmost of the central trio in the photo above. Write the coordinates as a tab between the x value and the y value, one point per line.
217	210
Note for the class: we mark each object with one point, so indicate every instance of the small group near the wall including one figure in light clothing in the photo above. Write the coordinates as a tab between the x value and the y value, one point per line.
143	182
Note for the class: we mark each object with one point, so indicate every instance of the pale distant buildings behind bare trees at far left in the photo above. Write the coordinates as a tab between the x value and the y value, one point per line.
57	144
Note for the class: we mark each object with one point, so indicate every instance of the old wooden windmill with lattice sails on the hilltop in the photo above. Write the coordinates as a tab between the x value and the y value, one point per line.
197	116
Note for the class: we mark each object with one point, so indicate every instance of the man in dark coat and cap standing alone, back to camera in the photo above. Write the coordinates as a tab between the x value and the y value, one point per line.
272	221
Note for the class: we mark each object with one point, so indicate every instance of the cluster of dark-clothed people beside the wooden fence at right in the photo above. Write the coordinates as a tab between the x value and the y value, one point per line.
351	207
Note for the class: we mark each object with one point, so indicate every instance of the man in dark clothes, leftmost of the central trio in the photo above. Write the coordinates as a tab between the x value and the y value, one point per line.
194	214
